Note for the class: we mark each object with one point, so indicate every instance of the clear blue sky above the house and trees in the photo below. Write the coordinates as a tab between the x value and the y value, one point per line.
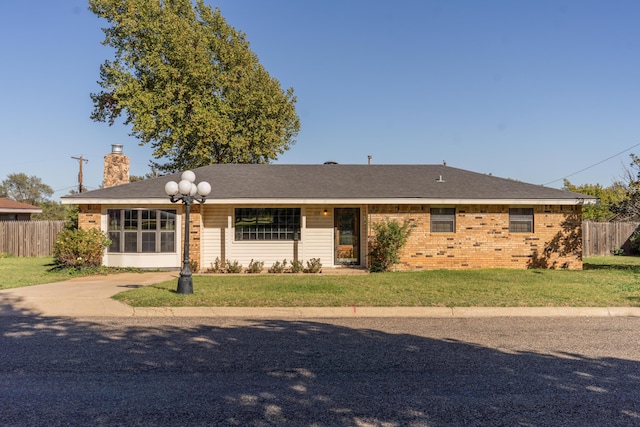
529	90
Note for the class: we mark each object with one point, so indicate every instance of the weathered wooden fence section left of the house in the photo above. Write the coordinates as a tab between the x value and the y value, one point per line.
29	238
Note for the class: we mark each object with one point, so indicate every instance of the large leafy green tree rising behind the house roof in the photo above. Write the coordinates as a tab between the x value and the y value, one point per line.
188	83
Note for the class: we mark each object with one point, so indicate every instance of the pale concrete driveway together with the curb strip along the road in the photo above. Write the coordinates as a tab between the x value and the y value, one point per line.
91	296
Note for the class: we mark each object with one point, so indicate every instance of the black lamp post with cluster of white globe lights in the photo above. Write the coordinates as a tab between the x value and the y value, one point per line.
187	192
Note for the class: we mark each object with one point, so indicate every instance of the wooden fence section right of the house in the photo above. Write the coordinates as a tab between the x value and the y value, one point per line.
602	238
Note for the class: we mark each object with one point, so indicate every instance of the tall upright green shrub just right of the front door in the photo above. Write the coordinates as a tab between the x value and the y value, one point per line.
389	238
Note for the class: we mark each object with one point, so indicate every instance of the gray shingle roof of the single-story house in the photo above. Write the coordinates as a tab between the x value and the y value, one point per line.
335	181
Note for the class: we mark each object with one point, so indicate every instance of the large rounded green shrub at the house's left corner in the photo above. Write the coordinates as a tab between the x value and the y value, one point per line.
80	248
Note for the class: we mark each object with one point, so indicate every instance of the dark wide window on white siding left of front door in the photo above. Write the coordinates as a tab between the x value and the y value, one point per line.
267	223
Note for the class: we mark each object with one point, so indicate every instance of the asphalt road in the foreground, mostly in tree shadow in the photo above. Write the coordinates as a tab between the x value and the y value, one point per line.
341	372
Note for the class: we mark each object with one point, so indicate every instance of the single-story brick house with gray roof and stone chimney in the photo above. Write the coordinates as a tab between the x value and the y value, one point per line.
271	212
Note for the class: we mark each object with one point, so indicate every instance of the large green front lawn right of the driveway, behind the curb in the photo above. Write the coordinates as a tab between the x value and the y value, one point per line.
606	281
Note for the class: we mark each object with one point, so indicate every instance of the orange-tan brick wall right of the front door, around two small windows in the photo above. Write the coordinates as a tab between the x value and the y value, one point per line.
482	238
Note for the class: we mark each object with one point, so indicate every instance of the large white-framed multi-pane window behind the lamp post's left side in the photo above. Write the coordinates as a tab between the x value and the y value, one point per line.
142	230
